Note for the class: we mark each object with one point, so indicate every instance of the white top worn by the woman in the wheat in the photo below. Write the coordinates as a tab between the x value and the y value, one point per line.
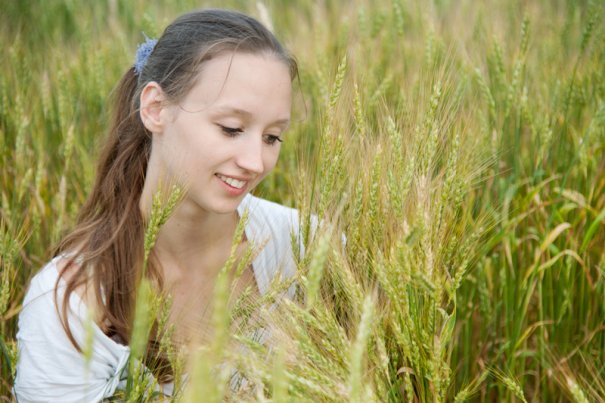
50	369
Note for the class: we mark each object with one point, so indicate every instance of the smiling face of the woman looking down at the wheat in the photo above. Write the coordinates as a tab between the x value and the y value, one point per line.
224	137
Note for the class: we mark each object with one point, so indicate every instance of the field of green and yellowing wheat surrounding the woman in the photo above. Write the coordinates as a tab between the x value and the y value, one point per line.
458	145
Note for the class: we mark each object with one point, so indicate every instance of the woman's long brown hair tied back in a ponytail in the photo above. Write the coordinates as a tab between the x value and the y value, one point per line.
105	248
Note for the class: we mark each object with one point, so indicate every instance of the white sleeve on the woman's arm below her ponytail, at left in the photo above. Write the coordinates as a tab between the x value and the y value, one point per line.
49	368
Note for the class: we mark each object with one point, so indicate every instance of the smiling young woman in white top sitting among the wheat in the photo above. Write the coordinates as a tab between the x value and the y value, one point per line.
205	107
